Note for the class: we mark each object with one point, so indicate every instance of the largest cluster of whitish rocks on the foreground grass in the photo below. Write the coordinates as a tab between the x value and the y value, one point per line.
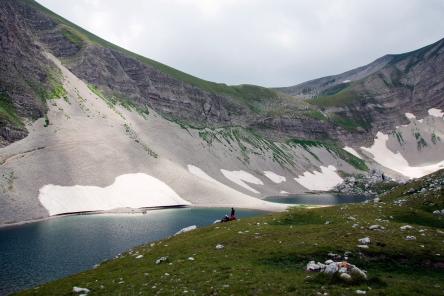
342	269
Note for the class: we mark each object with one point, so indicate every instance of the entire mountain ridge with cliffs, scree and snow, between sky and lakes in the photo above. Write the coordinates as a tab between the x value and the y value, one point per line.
86	125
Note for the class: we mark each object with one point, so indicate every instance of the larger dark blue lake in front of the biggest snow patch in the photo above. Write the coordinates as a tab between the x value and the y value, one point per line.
36	253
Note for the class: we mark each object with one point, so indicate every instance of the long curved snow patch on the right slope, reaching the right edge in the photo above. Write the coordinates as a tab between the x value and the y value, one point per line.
395	161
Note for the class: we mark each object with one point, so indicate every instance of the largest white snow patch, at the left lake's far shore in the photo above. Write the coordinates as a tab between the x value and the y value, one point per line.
130	190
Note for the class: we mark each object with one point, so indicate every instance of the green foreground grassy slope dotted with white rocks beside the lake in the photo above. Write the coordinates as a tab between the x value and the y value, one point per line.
267	255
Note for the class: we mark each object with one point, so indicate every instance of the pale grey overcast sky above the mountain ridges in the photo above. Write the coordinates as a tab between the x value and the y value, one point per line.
270	43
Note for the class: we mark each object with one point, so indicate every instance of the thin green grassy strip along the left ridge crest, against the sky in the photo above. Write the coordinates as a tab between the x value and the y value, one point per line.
78	35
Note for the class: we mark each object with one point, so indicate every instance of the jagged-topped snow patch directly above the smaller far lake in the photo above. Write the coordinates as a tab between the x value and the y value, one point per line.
326	179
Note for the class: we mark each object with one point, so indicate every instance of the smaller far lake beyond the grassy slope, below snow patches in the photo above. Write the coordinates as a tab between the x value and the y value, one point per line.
318	199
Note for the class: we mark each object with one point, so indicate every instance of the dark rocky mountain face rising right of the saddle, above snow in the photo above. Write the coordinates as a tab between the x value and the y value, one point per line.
376	97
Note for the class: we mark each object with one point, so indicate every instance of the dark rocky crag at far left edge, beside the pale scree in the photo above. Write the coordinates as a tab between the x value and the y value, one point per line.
23	71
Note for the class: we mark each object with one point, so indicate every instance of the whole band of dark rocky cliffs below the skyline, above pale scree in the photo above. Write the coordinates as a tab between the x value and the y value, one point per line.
348	108
